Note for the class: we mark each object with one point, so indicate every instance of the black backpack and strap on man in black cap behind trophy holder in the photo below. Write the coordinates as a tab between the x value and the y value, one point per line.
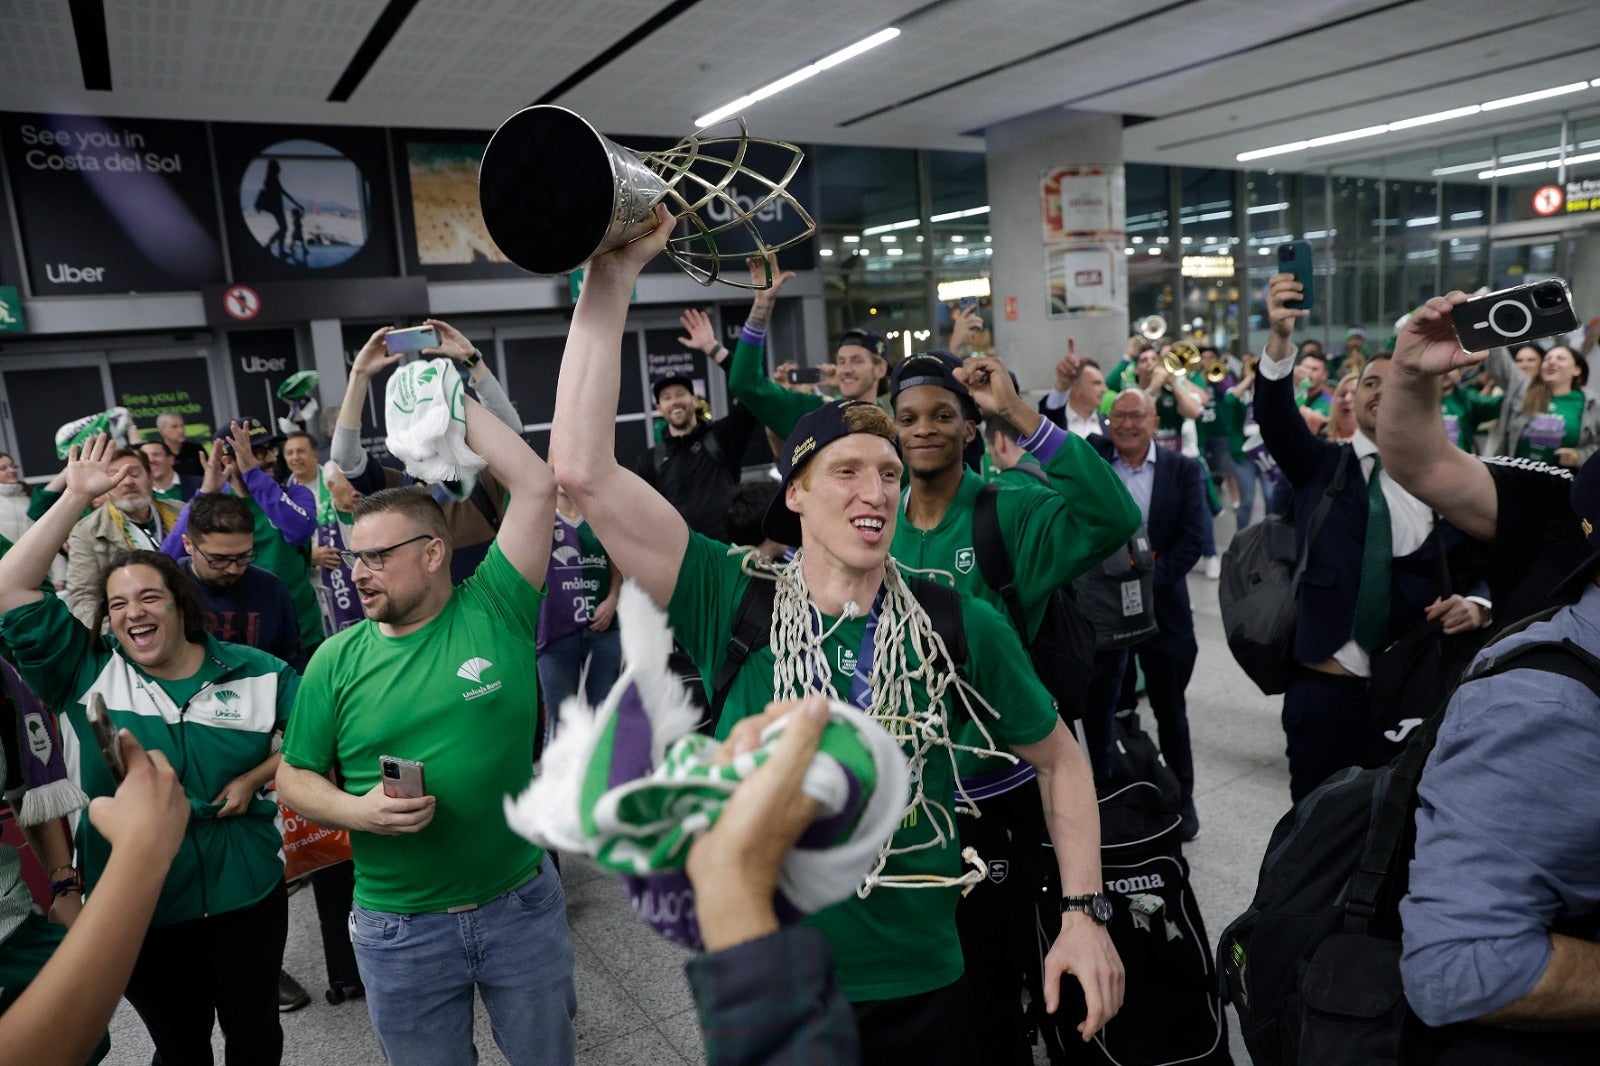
1063	649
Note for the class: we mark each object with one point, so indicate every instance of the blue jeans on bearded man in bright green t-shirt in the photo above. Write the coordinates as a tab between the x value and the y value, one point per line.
516	950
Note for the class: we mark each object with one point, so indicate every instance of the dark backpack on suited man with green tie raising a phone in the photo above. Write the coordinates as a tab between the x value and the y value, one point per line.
1262	574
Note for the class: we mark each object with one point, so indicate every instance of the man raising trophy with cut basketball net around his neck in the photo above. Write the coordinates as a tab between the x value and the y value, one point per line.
846	623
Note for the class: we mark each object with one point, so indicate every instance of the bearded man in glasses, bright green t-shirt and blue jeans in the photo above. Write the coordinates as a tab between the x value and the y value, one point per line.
447	897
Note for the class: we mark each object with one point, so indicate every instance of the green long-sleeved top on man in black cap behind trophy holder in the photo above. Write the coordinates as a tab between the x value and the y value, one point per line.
1052	532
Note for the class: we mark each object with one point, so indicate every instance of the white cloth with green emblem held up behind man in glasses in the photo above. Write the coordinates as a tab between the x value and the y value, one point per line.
428	422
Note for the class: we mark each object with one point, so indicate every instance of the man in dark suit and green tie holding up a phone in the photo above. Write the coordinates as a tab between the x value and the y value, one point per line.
1367	580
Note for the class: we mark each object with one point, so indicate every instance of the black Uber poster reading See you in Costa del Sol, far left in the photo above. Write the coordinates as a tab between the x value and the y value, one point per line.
113	206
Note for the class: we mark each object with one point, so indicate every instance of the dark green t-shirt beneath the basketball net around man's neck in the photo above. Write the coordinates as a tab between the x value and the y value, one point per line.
897	942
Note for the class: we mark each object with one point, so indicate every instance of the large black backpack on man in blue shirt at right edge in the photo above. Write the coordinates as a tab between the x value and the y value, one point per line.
1314	964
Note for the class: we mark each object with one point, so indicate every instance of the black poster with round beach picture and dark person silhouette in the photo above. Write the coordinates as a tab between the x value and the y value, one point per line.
306	202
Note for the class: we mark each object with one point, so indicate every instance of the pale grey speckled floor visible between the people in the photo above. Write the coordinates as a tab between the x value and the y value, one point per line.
633	1001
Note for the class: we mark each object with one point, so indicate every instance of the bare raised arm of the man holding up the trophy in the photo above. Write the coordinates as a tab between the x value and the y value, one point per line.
641	531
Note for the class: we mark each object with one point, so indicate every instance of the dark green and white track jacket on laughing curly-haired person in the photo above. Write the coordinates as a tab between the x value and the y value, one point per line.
212	727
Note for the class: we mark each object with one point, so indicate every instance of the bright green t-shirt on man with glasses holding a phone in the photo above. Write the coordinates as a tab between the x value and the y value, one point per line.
462	697
